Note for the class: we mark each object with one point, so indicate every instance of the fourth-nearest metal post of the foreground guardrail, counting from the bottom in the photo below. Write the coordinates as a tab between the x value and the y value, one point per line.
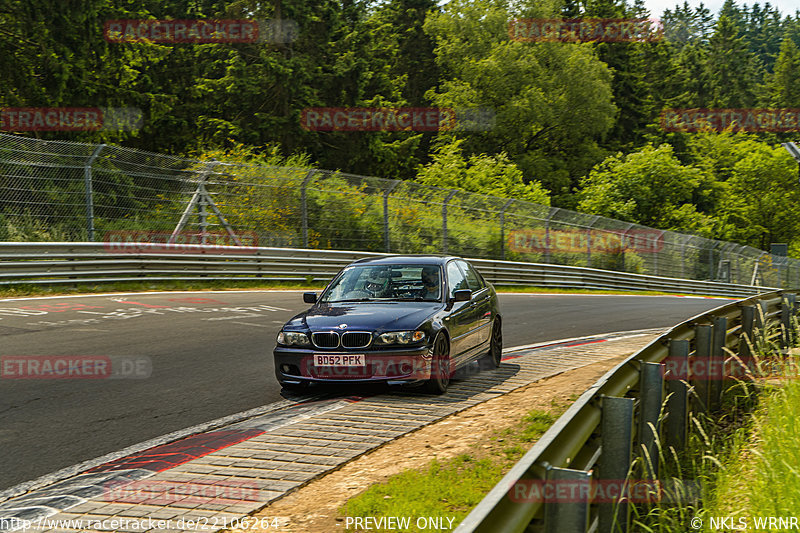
677	393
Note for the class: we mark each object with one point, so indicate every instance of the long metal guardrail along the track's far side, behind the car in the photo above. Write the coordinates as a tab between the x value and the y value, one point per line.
67	262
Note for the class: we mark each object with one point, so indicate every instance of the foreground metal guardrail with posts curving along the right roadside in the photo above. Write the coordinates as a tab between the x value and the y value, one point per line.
619	418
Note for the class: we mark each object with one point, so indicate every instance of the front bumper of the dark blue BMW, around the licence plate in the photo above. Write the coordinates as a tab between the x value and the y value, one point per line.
295	365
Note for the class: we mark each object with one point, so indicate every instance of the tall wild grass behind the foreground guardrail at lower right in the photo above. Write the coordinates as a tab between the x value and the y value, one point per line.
742	462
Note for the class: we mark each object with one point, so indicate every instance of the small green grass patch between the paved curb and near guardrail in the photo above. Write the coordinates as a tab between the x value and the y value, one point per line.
451	488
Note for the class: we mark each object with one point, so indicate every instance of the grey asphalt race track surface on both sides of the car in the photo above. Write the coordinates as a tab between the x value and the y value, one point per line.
169	361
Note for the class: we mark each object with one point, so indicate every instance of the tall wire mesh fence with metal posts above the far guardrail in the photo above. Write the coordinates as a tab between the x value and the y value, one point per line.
64	191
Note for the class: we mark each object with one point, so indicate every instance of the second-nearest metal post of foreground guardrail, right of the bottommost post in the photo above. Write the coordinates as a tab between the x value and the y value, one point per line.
615	459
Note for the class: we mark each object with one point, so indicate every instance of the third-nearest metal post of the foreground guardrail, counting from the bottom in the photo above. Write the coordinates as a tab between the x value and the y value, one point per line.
651	394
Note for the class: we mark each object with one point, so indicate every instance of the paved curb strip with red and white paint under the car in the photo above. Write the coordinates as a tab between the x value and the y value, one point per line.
282	450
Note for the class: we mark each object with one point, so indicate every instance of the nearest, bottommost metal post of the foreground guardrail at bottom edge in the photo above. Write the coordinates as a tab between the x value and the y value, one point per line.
570	516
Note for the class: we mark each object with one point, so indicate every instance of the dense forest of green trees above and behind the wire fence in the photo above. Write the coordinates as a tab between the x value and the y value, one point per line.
576	125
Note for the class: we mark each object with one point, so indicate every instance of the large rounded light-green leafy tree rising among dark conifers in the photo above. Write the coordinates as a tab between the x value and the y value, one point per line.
552	101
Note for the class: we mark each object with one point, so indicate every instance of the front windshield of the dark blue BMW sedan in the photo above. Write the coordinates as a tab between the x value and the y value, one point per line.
385	282
